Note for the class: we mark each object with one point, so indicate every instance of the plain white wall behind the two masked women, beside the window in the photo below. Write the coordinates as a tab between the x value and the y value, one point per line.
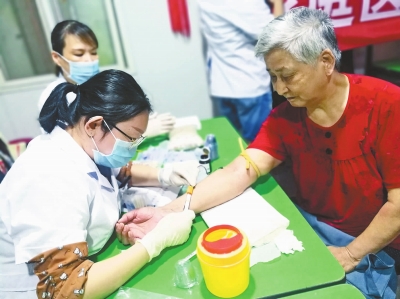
169	68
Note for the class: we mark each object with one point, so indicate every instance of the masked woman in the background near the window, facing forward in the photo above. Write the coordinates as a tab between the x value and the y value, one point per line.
74	52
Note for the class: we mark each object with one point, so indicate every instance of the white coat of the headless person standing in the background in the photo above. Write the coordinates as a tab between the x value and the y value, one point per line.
231	29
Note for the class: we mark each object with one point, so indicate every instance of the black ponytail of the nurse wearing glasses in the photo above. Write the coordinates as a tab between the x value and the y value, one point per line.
60	106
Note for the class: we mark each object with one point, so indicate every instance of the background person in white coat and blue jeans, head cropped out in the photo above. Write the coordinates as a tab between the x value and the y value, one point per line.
239	83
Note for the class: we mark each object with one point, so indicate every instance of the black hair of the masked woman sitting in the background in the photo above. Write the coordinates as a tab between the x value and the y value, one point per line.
62	29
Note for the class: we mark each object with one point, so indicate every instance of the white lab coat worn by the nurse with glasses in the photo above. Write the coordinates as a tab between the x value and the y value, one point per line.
53	195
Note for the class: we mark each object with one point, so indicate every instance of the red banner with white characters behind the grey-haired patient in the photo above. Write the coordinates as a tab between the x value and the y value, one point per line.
359	22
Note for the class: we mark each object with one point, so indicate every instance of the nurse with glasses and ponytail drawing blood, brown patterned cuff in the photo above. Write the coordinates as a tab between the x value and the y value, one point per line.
59	203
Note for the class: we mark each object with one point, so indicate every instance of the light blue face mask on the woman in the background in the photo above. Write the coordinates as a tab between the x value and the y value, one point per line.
80	72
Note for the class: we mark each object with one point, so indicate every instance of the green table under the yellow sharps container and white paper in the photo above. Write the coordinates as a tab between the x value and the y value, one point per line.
313	268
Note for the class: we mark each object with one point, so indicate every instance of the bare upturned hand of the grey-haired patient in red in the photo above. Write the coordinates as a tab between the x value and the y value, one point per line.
137	223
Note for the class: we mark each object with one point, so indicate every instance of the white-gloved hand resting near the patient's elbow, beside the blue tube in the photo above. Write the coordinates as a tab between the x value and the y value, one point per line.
178	174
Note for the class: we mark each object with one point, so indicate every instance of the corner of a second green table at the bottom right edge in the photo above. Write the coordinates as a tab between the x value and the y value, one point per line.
342	291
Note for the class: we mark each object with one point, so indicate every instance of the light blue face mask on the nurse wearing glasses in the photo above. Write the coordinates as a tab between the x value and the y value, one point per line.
121	154
